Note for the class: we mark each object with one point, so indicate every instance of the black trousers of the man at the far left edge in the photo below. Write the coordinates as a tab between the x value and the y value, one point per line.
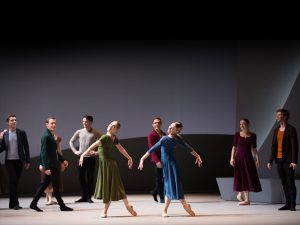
14	170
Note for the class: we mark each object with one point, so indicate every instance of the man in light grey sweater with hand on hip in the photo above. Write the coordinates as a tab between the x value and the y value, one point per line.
86	137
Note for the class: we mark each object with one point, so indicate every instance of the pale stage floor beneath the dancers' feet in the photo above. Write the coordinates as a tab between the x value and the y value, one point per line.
209	209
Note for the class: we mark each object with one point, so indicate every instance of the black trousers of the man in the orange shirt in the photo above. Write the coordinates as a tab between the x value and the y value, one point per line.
287	177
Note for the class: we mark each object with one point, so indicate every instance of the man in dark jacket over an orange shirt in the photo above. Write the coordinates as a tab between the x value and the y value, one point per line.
285	153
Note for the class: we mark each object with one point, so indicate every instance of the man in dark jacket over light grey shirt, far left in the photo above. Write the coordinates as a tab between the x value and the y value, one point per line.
15	144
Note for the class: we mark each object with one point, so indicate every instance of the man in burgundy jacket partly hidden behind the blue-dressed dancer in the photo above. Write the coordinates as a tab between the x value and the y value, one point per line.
154	137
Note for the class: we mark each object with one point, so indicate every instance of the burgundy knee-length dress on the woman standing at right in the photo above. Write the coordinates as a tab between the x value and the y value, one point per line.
245	173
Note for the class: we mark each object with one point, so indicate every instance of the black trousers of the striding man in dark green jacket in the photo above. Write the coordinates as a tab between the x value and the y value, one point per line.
54	177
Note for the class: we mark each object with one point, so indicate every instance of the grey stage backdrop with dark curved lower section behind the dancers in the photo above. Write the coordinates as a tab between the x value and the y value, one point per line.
208	85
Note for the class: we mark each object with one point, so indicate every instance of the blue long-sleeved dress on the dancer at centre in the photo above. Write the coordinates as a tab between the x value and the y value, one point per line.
172	182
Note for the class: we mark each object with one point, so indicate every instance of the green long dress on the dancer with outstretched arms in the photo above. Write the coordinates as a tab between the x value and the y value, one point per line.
109	186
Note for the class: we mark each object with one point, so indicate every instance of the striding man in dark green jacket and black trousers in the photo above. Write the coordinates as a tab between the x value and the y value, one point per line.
50	161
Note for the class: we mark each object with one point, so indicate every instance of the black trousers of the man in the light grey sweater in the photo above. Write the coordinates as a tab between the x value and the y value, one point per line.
86	176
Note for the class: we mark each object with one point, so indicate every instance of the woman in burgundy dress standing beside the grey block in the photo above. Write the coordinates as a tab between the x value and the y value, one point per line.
245	173
